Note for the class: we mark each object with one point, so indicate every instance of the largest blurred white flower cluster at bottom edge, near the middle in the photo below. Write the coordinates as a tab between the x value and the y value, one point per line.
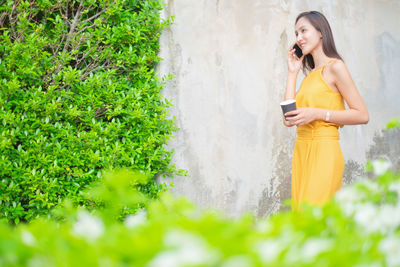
184	249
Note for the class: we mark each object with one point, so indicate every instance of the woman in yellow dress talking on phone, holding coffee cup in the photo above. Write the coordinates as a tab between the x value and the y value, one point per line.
318	164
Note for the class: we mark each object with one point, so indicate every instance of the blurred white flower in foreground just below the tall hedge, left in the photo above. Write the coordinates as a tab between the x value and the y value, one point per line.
88	226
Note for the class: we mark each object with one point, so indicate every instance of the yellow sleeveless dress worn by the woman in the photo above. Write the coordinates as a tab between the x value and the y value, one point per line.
318	164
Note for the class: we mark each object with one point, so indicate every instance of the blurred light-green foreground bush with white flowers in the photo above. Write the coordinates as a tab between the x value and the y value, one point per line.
359	227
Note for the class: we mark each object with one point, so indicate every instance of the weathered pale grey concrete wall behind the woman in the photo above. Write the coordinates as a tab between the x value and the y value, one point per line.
229	59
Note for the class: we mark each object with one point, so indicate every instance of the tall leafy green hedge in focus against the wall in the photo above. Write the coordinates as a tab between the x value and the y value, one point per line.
78	96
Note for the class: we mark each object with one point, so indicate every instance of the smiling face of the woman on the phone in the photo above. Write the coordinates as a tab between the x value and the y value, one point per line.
307	37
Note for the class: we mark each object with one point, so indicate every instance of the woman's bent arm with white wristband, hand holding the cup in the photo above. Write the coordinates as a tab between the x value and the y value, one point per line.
357	112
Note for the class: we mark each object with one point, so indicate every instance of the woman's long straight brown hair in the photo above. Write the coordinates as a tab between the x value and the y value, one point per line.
320	23
